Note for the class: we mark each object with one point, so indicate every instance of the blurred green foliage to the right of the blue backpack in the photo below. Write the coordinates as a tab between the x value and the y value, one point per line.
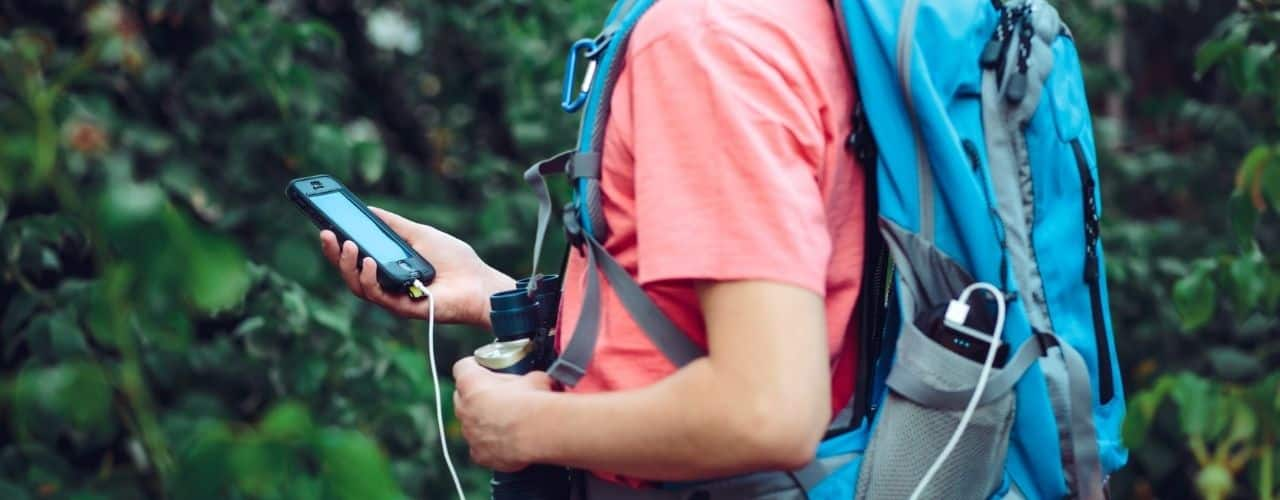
1209	395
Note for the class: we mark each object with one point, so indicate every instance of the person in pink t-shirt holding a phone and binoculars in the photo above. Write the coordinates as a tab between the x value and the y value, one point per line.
734	203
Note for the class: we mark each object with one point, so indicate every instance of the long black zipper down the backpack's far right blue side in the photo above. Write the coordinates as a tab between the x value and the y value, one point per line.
1107	387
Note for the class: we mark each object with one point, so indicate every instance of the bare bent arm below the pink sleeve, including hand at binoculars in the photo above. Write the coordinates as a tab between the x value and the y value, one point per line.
760	401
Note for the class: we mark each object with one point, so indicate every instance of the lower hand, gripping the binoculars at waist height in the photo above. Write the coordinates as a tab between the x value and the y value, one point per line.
491	409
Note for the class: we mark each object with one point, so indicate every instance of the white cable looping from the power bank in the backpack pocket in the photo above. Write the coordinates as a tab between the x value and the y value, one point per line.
956	316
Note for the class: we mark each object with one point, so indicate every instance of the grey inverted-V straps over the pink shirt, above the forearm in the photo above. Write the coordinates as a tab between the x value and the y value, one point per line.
666	336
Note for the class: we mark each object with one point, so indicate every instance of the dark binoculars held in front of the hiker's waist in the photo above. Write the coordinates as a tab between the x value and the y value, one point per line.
524	327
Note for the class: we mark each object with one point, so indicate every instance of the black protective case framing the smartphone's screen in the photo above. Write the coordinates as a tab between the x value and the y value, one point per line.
394	277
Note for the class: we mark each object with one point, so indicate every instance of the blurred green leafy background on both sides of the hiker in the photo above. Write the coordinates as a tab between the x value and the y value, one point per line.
171	331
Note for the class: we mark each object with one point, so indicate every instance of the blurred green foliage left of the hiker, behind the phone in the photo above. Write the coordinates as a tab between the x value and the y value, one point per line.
170	328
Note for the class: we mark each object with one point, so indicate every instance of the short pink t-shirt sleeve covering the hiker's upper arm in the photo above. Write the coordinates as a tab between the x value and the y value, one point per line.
728	145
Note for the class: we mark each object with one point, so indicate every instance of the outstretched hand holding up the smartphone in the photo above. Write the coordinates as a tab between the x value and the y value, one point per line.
463	282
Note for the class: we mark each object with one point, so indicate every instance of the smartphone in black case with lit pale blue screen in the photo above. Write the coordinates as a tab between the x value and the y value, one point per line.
332	207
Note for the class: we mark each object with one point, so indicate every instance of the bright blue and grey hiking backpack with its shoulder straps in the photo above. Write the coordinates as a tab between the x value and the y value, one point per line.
982	175
